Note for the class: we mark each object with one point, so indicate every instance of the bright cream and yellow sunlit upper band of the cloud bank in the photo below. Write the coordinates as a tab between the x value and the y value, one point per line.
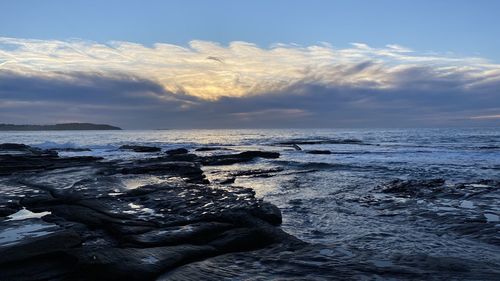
210	71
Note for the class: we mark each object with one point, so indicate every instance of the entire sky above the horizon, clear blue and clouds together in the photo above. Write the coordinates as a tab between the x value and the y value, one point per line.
249	64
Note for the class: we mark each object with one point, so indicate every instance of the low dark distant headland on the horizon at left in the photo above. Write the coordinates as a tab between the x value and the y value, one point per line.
57	127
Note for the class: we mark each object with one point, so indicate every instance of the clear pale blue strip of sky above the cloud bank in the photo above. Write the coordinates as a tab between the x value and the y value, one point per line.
462	27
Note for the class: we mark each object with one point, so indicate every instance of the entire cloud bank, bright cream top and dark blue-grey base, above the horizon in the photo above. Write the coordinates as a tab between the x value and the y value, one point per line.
207	84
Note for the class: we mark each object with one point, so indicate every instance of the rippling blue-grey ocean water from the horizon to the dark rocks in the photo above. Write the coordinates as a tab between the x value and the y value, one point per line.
341	199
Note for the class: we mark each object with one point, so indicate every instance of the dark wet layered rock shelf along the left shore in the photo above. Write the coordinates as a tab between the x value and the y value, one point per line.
69	218
